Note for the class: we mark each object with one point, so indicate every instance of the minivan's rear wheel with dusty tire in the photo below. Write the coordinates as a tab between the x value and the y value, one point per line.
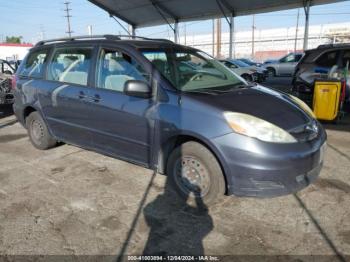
38	132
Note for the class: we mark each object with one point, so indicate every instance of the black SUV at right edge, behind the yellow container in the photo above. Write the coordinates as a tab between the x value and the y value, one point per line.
324	62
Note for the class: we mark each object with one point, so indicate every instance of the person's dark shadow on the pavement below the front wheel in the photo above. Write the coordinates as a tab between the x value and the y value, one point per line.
176	227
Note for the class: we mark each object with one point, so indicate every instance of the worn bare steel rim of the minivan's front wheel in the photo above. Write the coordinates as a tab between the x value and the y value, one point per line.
191	175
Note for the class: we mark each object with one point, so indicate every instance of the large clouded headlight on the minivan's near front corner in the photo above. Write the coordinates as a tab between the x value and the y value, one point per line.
255	127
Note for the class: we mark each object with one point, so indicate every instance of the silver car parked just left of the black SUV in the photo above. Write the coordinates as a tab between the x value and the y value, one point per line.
284	66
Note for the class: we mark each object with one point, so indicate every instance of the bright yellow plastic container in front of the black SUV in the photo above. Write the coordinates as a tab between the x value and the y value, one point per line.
326	99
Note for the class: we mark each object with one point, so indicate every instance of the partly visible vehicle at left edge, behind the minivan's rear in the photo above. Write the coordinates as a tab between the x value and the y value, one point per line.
6	72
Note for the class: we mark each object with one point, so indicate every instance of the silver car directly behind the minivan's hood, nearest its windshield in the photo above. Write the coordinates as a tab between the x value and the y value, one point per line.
249	73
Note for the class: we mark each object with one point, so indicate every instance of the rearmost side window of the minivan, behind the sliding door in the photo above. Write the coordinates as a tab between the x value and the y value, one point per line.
35	64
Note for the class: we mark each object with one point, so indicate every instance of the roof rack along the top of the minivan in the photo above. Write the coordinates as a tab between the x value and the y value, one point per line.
107	37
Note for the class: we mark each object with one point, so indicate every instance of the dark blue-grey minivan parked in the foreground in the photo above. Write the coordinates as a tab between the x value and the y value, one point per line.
170	108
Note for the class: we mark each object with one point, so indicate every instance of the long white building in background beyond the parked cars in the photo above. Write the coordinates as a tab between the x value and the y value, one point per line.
271	43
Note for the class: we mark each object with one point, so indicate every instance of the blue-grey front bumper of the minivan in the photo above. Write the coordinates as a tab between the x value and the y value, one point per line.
260	169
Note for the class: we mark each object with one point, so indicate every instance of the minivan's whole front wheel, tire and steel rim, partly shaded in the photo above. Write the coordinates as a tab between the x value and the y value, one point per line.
204	170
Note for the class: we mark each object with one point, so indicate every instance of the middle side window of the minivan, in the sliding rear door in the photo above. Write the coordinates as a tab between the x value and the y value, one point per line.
70	65
